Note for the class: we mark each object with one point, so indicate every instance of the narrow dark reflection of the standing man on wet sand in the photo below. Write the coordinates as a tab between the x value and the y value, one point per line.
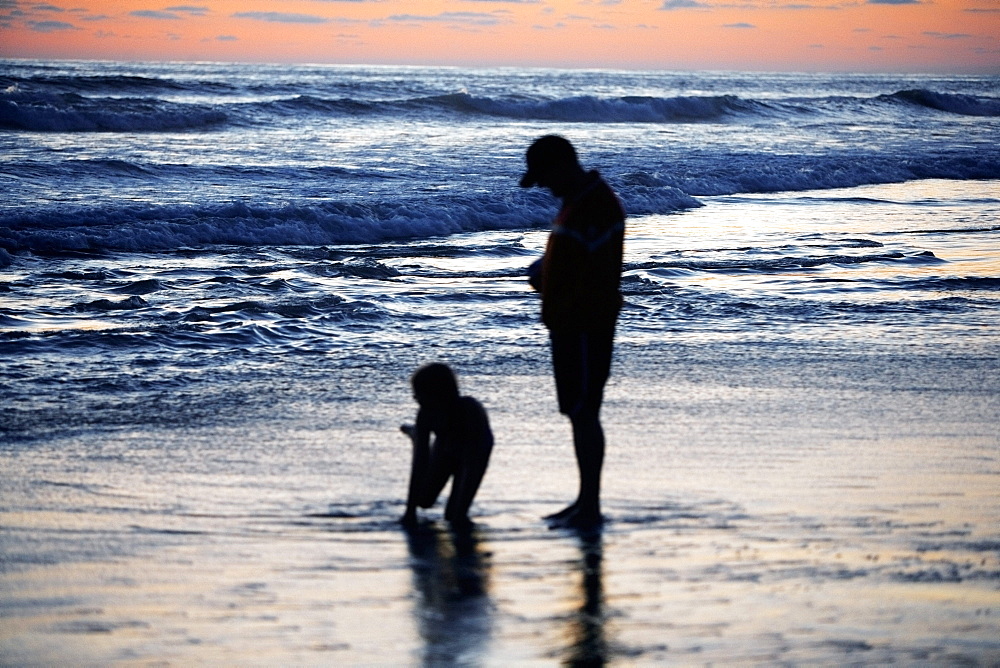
588	646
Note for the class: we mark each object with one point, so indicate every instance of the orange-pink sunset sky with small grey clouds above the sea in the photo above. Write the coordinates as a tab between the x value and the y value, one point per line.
810	35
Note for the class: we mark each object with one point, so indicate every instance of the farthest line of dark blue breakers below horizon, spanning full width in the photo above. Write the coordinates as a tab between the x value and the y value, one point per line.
93	104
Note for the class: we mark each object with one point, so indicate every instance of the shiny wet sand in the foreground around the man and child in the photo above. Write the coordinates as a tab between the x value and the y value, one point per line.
817	508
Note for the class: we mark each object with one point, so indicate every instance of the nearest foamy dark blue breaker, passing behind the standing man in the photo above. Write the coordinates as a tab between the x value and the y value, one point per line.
67	230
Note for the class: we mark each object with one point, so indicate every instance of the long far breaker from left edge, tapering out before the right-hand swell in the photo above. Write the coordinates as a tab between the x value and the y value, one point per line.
87	103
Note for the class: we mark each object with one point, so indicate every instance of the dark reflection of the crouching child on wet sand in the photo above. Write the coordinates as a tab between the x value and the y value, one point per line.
451	576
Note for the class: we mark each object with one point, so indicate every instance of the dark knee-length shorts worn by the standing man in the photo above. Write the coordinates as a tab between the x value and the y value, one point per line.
582	363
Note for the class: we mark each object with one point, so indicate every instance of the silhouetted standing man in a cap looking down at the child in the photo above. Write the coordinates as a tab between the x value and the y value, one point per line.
579	278
